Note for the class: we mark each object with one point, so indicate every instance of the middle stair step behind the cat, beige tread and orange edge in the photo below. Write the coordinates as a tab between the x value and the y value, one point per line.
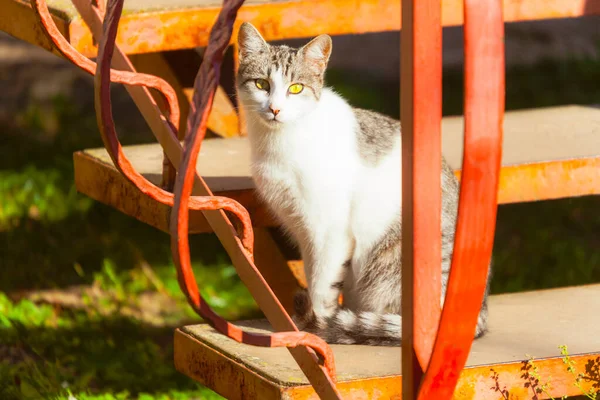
548	153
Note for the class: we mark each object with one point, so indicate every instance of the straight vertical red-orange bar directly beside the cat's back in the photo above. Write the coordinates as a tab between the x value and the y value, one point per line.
421	113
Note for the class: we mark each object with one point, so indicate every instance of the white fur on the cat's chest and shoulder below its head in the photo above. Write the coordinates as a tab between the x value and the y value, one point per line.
311	174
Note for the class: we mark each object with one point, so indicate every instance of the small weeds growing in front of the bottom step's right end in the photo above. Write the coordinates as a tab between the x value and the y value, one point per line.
532	379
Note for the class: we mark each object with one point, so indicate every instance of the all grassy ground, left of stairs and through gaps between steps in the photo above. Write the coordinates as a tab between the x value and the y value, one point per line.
116	342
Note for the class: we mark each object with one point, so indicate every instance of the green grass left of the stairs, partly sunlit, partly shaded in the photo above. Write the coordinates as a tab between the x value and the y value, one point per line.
116	342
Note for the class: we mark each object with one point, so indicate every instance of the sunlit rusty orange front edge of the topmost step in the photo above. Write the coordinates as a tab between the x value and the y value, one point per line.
296	19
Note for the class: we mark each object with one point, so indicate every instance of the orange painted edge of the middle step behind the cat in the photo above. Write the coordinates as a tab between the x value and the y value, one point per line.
518	183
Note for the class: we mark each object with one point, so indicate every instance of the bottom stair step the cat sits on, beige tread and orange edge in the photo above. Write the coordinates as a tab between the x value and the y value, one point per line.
530	323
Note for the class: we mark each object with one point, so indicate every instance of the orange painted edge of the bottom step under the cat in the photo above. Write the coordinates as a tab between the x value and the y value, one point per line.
228	377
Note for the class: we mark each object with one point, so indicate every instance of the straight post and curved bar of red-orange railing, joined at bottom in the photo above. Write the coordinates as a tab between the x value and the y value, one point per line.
435	349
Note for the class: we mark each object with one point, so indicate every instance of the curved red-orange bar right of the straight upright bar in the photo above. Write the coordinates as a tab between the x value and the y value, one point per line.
484	112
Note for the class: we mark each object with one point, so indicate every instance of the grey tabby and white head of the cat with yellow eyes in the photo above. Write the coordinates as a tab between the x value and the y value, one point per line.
279	84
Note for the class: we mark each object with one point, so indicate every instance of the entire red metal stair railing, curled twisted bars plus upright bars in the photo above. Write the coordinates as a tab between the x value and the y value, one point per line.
432	358
